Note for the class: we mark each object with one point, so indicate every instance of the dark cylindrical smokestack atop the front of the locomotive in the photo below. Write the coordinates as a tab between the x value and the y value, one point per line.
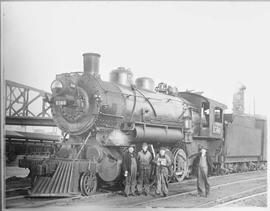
91	63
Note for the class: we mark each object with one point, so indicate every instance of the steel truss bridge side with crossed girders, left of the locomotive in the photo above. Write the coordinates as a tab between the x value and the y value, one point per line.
25	105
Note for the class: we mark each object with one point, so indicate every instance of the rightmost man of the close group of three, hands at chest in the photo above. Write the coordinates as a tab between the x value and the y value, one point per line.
163	162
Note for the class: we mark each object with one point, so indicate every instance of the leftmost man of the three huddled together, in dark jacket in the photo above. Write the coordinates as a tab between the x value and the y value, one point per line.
130	171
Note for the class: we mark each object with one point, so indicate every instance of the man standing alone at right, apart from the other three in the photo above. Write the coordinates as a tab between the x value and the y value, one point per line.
202	166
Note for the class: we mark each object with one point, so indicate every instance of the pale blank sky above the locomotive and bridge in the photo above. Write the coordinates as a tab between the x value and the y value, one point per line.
203	46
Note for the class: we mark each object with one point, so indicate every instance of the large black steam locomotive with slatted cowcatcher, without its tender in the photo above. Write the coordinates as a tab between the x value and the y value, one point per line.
100	119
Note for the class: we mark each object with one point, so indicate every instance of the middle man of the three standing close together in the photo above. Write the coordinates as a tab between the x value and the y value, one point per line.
144	164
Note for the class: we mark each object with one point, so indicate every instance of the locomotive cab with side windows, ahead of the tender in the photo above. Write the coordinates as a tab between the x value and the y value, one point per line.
210	130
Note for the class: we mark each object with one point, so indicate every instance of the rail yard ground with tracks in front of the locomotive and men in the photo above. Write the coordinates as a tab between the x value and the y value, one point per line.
235	190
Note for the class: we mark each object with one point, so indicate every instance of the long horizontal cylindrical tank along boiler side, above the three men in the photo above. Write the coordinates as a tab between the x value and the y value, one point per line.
157	134
